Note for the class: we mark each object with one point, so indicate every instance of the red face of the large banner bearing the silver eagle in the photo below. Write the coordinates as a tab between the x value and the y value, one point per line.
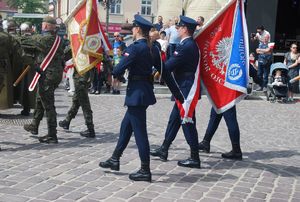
215	43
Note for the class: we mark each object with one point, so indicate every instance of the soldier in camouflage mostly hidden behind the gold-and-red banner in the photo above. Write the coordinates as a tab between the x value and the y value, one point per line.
80	98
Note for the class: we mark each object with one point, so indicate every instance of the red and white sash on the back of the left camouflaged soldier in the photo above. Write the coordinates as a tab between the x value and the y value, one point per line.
45	63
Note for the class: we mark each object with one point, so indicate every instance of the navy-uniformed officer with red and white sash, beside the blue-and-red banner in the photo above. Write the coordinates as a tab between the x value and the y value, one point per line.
183	64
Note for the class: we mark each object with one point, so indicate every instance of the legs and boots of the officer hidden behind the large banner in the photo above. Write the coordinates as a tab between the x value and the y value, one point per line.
233	129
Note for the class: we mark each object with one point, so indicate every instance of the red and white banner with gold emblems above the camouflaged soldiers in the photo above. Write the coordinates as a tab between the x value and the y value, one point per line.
88	41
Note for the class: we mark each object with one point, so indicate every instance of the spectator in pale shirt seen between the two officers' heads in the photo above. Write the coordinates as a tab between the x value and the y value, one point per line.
173	37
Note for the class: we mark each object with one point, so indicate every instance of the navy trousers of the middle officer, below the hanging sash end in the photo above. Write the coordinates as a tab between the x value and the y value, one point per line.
189	129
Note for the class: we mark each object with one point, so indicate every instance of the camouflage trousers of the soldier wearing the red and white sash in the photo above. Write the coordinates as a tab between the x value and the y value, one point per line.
45	102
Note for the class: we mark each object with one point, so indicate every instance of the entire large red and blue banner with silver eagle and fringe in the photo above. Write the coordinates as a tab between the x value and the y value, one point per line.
223	43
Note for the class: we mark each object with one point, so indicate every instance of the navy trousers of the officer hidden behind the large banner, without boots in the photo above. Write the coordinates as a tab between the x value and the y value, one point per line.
231	122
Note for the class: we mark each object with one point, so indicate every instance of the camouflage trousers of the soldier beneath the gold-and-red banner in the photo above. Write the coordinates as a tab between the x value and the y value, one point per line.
81	98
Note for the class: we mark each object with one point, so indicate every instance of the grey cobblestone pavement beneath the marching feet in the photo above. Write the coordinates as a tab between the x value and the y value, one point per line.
30	171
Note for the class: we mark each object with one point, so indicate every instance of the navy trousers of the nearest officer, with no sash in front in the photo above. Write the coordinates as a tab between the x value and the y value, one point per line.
135	121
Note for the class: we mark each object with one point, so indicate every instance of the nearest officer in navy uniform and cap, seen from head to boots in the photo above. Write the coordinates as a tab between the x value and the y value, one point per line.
137	59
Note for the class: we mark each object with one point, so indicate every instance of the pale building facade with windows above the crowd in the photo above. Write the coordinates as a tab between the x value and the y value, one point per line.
122	11
